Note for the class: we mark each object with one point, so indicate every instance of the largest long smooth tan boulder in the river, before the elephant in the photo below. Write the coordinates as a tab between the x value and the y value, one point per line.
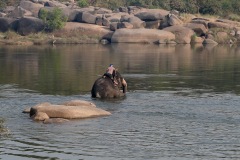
67	111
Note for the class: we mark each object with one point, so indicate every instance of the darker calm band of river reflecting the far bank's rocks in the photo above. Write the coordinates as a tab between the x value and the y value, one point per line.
67	70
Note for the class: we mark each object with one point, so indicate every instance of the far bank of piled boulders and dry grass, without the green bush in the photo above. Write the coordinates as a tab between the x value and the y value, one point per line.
130	24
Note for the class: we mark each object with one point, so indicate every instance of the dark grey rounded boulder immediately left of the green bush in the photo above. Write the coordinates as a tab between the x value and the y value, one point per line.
28	25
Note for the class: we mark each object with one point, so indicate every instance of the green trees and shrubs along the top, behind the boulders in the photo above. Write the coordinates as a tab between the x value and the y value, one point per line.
212	7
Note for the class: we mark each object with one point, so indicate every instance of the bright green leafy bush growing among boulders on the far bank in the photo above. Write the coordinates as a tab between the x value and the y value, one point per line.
53	20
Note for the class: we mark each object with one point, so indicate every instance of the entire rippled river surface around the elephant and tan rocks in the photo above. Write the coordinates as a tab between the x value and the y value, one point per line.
182	102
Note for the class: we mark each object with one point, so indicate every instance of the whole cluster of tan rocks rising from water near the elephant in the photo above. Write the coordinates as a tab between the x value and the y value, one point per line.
58	113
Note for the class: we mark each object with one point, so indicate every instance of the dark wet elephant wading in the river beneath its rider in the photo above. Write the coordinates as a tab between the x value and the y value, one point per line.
104	87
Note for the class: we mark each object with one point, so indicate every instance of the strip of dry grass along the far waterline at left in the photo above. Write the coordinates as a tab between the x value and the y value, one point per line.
56	37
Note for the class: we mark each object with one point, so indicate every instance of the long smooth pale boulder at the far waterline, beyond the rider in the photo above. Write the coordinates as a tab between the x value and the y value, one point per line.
140	36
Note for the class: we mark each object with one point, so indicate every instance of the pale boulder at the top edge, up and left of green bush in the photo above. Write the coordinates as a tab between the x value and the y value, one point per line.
32	7
